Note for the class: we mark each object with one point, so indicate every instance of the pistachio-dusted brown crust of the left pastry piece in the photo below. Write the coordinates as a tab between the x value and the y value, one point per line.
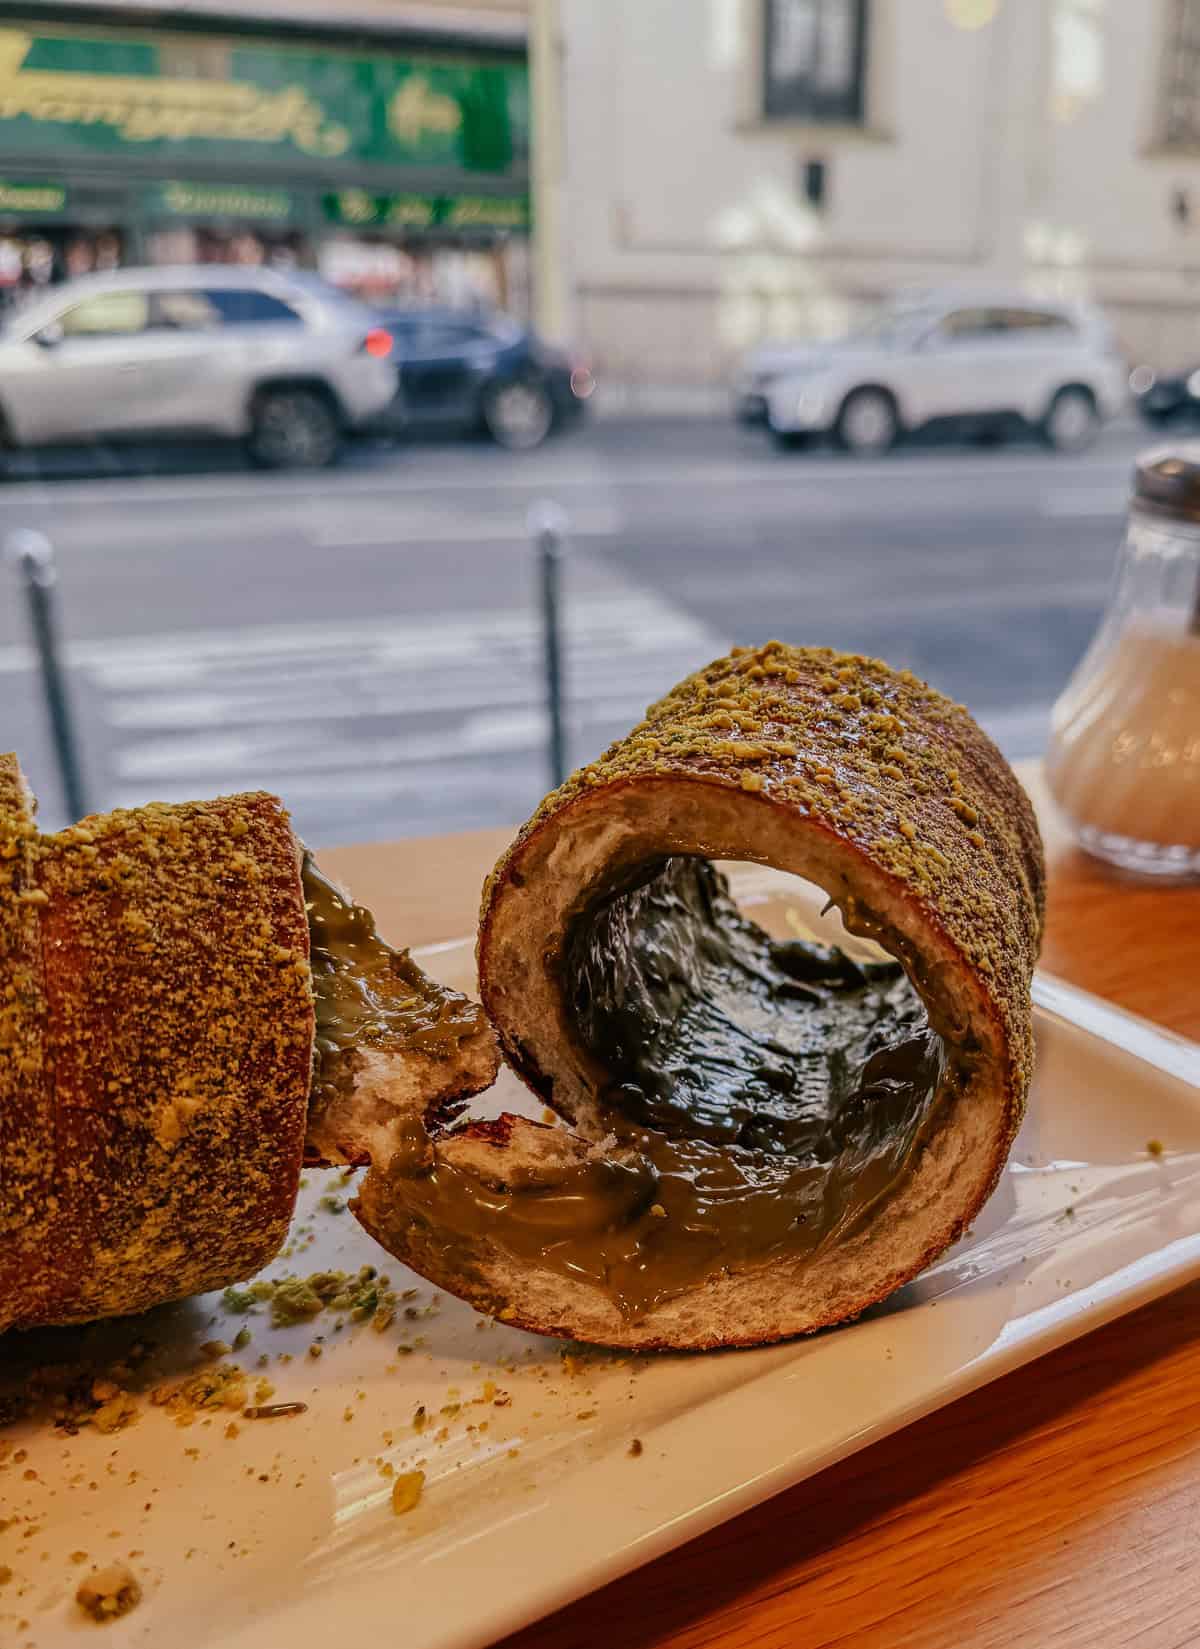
152	1120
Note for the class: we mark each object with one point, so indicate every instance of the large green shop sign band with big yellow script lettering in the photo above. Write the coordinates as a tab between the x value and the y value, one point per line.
223	100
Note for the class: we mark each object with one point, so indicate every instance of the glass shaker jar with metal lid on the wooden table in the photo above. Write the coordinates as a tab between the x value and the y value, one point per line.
1125	745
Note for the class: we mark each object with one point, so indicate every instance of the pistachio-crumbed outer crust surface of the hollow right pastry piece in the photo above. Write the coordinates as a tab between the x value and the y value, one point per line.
878	758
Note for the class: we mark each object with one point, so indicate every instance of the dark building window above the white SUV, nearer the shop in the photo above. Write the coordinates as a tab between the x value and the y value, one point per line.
815	59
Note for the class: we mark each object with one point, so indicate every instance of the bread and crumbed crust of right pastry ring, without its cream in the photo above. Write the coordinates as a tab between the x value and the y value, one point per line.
891	797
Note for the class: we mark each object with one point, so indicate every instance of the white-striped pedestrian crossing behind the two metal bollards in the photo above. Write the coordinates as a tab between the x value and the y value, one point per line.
377	705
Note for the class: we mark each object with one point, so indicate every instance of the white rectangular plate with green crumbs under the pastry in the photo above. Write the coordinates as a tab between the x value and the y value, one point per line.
284	1534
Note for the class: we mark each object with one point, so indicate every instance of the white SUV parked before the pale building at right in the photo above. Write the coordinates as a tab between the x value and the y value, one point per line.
982	364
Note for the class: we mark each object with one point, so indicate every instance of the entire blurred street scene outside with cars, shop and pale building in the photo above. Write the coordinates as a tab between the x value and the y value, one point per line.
398	398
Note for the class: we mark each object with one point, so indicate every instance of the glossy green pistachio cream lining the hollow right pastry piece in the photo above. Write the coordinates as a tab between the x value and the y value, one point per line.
761	1097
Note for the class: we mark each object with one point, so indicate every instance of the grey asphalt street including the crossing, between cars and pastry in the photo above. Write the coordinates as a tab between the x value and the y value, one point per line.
367	641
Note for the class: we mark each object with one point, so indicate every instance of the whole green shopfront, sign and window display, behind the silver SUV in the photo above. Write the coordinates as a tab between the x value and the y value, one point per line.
401	174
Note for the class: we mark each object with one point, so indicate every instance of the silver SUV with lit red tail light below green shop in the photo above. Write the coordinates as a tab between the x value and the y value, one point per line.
283	362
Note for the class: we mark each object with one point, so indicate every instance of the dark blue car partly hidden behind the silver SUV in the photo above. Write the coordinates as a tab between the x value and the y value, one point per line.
476	372
